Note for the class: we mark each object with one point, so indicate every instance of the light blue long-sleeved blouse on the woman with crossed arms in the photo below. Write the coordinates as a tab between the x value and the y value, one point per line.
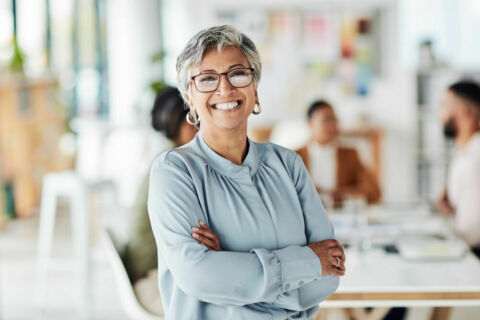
264	212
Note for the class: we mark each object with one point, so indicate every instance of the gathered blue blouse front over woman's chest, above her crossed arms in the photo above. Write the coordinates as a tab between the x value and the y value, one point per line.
248	212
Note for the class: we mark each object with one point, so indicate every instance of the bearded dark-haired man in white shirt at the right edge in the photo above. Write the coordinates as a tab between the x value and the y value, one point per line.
460	115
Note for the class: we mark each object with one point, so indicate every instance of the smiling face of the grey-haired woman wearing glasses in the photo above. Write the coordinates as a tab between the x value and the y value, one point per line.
227	108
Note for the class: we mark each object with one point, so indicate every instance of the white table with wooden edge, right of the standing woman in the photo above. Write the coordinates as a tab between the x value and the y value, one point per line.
375	278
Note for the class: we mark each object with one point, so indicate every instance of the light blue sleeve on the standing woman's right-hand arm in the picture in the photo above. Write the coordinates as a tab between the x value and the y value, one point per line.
317	228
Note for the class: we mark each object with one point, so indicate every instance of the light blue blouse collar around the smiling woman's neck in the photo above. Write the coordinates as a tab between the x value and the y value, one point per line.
225	166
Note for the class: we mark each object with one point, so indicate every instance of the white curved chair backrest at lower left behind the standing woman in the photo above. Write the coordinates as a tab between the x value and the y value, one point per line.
131	305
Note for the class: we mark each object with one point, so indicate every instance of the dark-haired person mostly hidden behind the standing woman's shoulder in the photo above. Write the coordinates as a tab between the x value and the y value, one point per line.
168	117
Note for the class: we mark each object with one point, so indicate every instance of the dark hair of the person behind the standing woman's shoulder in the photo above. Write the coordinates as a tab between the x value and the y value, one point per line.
168	112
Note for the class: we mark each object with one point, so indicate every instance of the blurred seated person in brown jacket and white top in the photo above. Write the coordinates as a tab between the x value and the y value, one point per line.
336	170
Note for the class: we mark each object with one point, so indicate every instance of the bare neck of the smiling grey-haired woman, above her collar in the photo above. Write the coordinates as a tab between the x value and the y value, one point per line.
230	145
